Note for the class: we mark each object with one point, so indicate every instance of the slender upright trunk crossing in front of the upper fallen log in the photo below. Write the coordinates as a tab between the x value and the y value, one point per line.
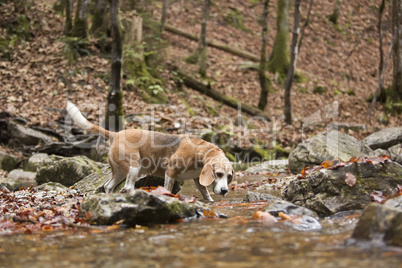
202	43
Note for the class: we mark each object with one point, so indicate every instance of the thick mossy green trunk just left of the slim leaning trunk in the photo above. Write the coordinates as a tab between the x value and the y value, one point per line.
279	61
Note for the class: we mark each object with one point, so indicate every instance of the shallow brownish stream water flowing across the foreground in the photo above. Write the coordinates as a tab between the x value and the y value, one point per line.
238	241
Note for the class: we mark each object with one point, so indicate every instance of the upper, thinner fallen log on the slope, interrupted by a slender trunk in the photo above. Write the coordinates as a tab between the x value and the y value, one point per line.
215	44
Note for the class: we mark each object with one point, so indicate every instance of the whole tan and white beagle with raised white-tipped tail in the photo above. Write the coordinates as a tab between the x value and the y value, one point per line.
136	153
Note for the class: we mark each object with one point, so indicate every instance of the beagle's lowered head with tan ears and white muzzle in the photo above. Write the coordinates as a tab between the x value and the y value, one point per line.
220	173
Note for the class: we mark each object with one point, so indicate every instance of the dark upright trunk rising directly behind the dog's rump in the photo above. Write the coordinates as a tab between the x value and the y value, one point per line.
114	120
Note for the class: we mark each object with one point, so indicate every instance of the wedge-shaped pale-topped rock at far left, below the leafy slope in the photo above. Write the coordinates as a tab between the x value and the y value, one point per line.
23	135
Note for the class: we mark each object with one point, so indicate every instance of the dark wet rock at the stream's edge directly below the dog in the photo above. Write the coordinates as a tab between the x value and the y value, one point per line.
140	207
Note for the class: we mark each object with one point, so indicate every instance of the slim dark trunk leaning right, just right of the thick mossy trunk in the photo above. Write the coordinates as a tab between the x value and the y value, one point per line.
292	67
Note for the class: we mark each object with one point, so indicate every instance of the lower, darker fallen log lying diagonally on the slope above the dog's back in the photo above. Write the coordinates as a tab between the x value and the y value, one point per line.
216	95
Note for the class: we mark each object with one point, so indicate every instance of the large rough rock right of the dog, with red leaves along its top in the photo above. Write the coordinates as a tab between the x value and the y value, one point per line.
326	192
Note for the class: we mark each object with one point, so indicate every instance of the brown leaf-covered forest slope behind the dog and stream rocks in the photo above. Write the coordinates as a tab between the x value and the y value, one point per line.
343	60
